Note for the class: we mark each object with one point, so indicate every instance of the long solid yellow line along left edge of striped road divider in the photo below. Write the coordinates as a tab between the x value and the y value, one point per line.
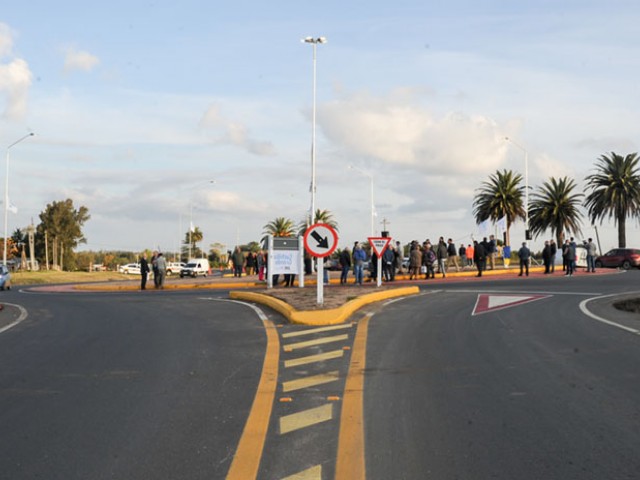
246	461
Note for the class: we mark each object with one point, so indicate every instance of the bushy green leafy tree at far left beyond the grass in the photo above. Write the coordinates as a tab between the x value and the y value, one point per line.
62	224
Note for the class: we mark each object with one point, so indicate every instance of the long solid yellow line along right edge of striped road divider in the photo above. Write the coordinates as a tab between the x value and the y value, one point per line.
350	462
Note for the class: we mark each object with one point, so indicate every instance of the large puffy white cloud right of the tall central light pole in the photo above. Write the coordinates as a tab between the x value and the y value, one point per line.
398	130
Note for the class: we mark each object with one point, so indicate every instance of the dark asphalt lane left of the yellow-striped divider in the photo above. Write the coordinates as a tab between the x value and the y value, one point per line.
125	386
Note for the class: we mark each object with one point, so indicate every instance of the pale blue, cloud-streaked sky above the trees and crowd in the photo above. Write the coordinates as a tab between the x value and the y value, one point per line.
156	114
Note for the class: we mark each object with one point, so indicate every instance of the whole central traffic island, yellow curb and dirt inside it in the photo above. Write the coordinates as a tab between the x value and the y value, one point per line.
298	305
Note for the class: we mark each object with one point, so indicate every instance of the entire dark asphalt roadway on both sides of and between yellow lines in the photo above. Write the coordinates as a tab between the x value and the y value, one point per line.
155	385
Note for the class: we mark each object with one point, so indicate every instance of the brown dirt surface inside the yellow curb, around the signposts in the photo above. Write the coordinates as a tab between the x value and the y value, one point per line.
307	298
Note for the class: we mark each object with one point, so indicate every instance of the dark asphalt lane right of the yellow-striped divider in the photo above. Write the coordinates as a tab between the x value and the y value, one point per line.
534	391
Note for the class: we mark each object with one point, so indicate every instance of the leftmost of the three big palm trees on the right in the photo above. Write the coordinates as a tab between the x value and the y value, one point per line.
500	196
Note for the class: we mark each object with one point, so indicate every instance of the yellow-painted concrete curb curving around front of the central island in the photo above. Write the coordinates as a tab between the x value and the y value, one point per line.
322	317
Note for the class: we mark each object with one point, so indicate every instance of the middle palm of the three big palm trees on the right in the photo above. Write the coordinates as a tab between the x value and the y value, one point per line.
554	206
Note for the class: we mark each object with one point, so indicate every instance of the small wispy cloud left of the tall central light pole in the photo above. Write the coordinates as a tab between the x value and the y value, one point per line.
233	133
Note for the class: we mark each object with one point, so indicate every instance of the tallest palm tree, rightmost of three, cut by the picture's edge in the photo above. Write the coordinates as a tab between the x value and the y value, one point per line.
615	191
